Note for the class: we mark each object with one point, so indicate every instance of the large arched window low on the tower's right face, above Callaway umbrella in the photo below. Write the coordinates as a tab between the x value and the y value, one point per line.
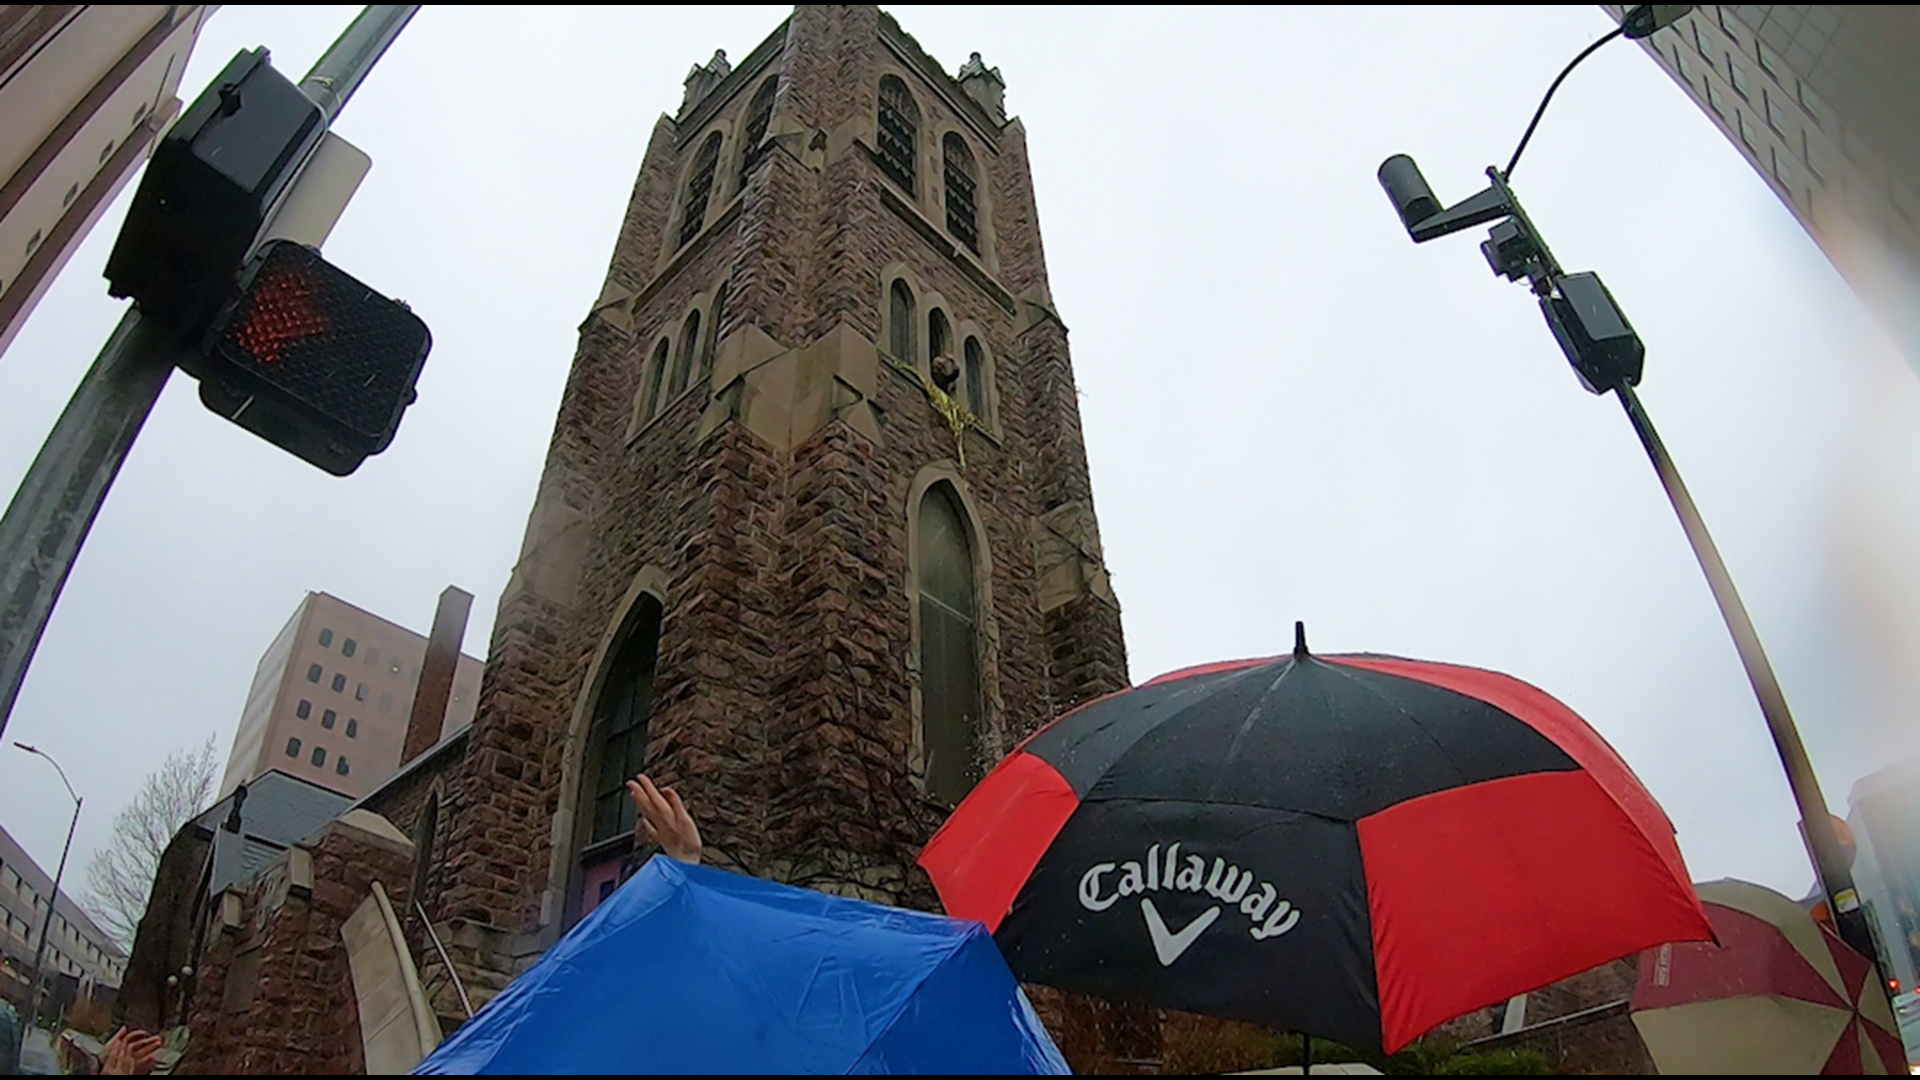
949	664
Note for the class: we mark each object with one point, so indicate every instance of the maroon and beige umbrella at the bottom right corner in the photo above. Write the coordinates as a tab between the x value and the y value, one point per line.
1779	994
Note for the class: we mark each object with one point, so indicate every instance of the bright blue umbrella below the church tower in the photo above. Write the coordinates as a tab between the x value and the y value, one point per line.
688	970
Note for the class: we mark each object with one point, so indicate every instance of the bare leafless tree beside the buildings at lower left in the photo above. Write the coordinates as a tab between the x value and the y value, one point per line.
122	873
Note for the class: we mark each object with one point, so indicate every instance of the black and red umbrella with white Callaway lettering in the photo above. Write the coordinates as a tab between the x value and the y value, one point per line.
1351	847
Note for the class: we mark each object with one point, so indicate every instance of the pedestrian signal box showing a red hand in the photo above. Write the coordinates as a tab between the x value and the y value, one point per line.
312	360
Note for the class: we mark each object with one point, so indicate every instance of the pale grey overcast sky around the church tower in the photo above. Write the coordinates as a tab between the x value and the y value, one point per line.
1291	410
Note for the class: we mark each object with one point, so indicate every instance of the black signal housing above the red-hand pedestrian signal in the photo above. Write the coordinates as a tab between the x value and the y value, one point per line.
210	189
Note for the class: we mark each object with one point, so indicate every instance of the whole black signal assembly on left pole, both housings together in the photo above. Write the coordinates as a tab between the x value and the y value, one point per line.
283	343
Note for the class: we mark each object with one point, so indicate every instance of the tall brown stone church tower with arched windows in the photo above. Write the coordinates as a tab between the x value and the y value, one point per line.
815	539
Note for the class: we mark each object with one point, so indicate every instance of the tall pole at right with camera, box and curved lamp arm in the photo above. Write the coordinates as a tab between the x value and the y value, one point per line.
1608	356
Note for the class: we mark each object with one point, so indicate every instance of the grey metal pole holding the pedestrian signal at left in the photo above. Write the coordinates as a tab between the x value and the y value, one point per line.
55	508
